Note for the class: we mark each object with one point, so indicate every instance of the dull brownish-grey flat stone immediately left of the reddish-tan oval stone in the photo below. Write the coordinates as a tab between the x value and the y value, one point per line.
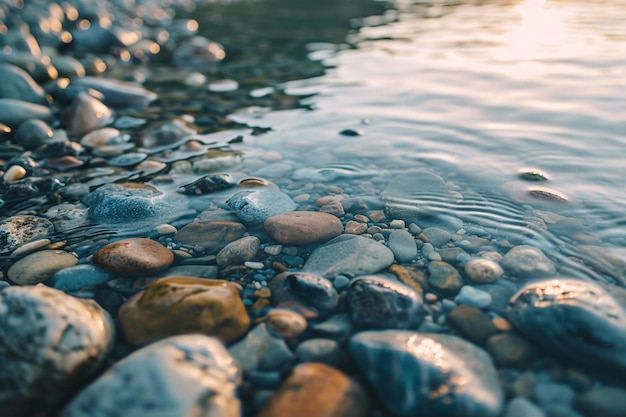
212	235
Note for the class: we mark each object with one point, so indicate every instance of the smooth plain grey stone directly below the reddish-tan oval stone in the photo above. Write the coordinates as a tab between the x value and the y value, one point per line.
348	254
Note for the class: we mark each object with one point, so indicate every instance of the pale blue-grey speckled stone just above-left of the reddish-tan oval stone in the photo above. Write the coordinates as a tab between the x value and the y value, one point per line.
256	205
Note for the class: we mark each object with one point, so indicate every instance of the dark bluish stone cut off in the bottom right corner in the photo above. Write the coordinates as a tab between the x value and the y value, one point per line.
605	401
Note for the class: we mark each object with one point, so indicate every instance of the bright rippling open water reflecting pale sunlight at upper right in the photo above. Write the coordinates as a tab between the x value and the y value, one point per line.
475	91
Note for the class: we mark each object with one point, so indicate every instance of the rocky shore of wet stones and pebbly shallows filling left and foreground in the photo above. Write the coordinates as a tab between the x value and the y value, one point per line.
150	269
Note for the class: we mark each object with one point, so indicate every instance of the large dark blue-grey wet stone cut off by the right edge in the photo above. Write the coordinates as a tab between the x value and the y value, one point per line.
582	321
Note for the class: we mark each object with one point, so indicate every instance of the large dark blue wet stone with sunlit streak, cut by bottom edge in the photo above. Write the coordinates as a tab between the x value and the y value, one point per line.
432	374
